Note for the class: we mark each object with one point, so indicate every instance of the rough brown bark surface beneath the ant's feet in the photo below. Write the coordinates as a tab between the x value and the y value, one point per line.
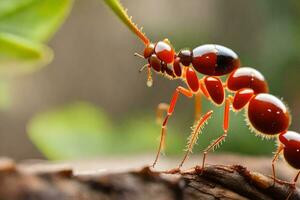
215	182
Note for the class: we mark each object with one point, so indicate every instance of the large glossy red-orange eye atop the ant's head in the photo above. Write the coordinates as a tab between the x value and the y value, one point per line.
164	52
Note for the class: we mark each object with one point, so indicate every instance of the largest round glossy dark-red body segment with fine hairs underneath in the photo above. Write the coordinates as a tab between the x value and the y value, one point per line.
268	115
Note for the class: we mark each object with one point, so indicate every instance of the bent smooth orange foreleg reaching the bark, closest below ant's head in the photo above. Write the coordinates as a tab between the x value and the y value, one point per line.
179	90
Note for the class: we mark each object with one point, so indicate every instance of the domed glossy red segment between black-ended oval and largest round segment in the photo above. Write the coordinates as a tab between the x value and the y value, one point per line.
247	77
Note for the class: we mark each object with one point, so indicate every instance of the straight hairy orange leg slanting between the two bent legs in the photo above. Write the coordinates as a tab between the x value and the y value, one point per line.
194	136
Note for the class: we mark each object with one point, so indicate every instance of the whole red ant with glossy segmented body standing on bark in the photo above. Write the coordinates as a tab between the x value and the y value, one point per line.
266	115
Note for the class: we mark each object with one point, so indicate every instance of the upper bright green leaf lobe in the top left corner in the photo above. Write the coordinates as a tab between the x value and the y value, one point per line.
35	20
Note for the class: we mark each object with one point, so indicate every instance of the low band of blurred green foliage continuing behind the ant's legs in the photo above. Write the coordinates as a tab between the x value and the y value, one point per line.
82	130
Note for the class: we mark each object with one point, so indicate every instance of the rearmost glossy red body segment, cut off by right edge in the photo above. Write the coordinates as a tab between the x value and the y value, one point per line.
291	147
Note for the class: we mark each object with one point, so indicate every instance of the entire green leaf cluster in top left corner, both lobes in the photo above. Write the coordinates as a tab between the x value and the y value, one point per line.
24	27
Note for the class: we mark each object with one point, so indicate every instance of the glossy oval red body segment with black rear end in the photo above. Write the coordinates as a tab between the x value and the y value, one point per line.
214	60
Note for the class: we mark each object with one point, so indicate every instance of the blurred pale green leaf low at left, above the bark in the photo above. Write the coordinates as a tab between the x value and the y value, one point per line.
78	130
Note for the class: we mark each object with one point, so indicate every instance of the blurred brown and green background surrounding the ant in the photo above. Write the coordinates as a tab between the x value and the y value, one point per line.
92	102
